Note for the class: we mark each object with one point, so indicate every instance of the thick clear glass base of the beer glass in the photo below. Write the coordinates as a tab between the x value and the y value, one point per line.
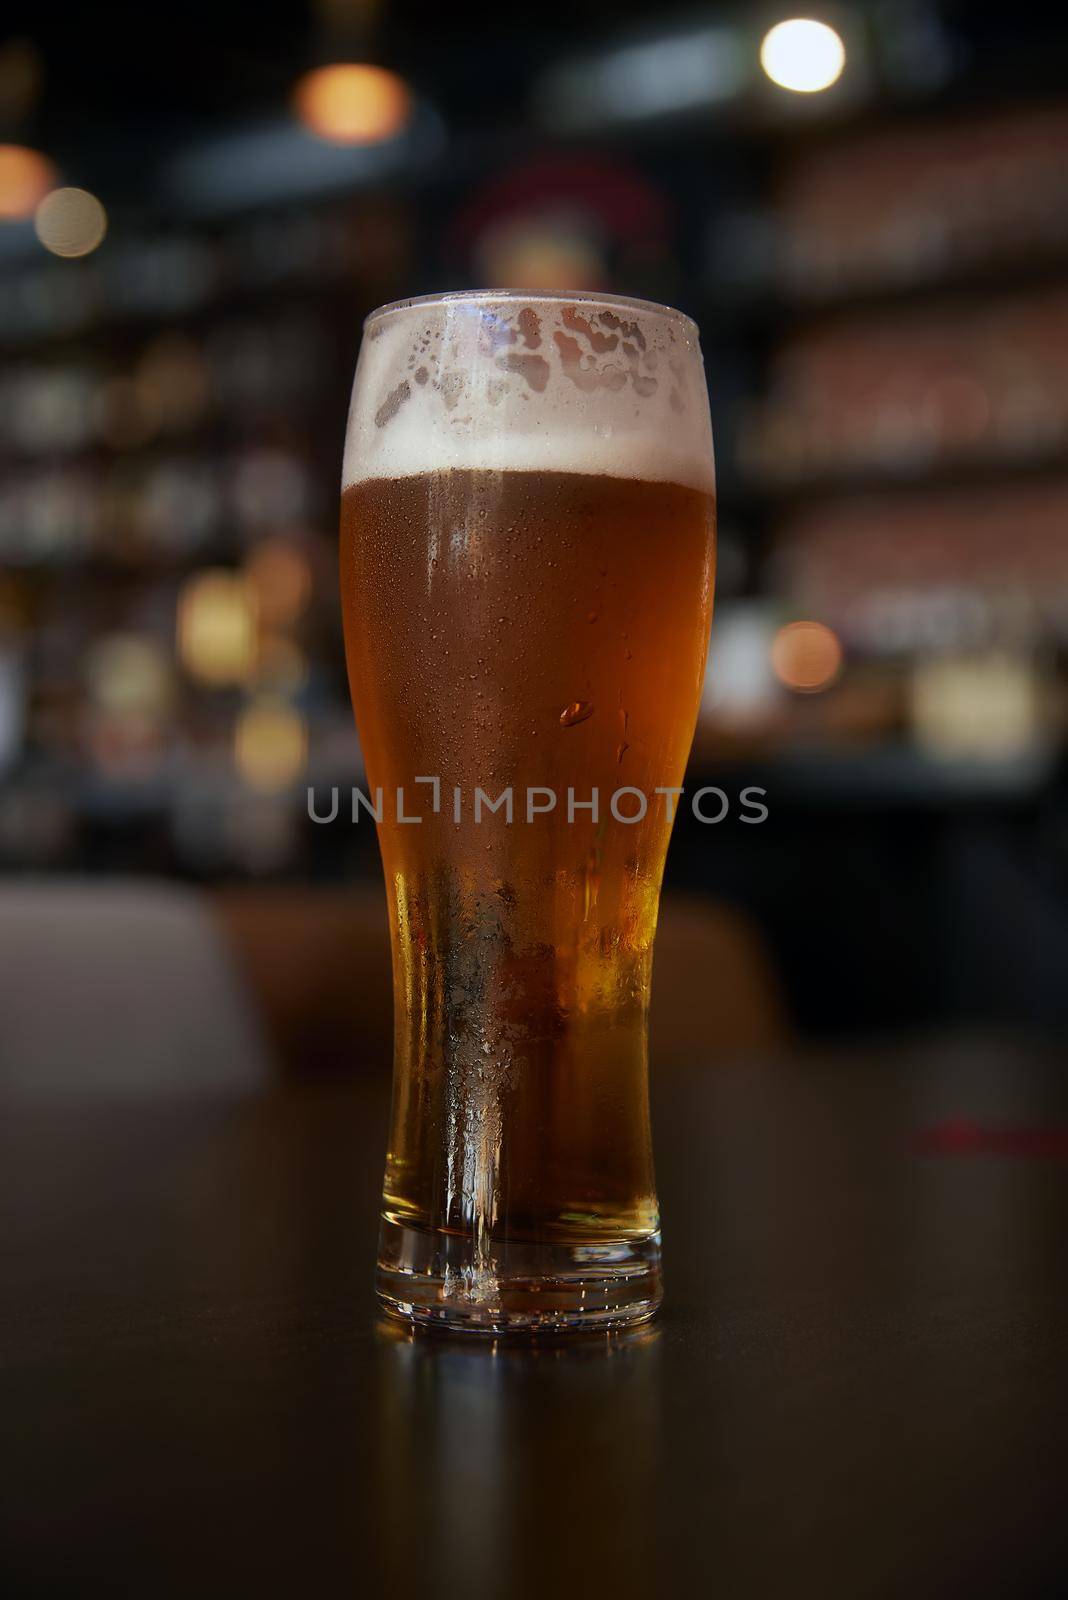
429	1279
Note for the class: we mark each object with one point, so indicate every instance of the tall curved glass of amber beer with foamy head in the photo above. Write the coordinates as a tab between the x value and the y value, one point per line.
527	577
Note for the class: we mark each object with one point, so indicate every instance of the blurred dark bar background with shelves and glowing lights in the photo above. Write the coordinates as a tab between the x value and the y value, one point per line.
199	209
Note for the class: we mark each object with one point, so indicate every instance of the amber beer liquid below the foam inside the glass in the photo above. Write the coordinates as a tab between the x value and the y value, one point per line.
528	631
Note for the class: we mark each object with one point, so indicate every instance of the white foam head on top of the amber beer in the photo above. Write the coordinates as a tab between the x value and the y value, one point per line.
509	385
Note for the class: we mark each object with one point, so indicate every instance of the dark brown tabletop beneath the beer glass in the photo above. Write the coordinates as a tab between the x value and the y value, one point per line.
858	1385
